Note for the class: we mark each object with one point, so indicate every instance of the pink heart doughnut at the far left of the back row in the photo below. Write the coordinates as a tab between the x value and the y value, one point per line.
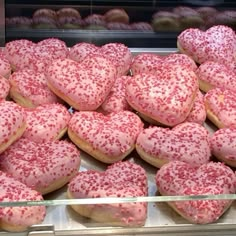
35	56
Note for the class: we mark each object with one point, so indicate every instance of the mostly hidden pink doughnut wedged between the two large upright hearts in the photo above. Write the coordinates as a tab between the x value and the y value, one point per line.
116	101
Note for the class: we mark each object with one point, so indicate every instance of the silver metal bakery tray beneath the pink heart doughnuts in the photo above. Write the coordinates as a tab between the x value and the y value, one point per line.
161	219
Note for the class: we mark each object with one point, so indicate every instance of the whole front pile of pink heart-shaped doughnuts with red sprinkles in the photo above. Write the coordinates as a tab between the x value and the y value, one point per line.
105	102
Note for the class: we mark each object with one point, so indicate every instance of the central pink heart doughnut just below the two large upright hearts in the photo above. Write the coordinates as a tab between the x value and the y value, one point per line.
107	138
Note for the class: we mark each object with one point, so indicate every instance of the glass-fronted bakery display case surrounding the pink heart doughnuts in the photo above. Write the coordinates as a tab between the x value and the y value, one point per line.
157	34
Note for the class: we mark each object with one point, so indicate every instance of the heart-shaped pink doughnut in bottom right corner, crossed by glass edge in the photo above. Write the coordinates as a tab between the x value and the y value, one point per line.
179	178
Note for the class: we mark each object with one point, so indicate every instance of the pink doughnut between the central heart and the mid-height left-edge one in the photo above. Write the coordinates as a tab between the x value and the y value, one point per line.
46	122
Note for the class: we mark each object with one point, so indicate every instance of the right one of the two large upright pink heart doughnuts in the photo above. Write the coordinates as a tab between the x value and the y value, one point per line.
166	97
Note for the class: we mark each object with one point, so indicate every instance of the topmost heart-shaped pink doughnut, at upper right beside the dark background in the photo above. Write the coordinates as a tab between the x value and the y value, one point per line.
217	44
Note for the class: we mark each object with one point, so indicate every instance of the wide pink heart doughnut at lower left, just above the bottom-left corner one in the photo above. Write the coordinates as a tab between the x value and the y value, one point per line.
44	167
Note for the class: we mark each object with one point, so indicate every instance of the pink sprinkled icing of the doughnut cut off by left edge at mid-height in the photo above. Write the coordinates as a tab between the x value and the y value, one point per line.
12	118
